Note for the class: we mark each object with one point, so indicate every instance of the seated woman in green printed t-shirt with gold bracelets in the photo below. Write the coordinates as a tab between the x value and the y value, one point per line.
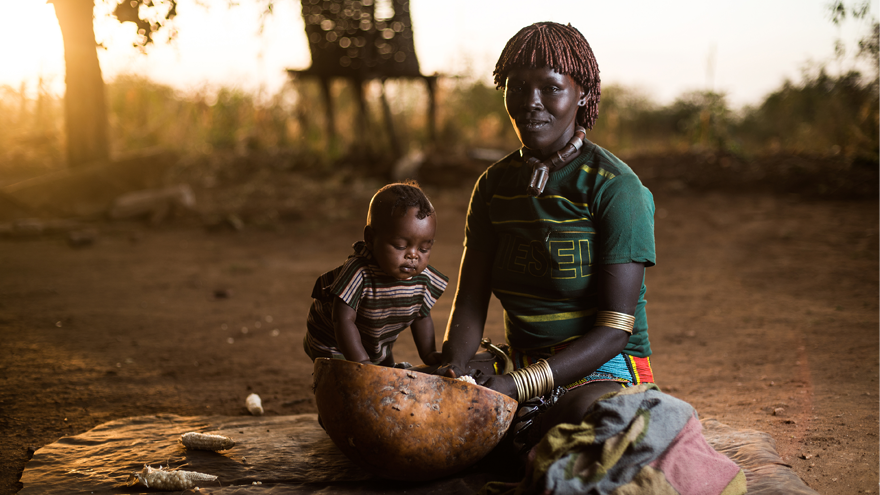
561	231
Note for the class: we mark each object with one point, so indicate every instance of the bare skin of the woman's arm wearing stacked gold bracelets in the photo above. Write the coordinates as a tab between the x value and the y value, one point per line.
619	288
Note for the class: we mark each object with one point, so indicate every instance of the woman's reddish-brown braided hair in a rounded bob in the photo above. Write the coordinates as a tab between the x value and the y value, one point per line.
562	48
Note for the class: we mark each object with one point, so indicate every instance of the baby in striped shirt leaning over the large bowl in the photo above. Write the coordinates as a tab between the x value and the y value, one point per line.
386	285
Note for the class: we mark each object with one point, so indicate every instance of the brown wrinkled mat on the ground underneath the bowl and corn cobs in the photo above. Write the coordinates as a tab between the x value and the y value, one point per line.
292	454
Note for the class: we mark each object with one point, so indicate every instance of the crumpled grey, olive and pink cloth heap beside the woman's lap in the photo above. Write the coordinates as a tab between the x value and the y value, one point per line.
636	441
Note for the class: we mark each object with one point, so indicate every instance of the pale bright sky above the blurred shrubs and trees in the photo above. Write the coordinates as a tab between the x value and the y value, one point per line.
745	48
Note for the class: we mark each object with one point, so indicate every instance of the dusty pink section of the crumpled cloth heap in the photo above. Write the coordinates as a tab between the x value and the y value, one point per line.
692	466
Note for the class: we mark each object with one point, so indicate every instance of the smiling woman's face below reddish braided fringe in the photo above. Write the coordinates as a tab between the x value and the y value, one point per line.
542	105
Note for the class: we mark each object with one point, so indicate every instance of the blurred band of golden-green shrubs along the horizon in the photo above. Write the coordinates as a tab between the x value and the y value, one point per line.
822	114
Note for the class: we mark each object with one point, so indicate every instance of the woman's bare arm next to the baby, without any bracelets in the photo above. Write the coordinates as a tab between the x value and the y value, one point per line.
468	316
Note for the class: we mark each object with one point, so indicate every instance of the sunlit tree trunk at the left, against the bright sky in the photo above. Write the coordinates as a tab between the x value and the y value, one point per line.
84	103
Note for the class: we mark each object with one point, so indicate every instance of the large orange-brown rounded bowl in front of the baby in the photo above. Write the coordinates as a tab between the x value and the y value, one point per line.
404	425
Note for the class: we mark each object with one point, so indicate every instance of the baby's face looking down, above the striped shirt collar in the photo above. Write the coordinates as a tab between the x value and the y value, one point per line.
402	246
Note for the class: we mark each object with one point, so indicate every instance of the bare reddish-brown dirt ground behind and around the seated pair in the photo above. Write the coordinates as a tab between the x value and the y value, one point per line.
763	313
